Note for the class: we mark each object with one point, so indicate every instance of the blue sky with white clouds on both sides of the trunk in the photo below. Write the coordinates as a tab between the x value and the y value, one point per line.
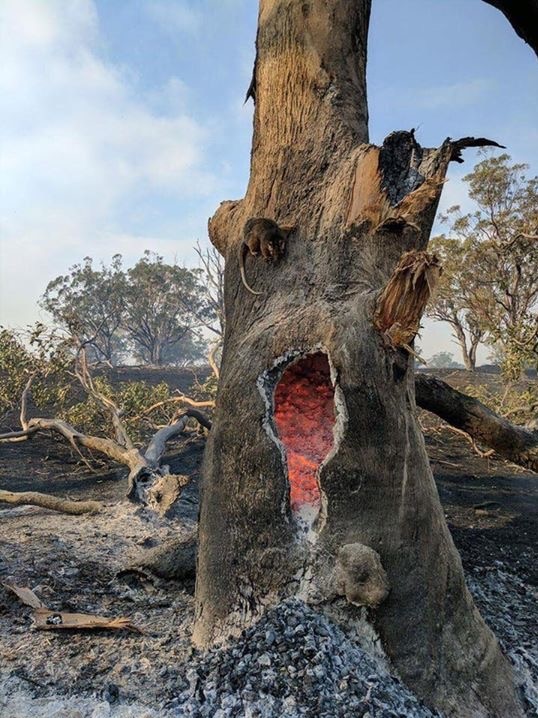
122	122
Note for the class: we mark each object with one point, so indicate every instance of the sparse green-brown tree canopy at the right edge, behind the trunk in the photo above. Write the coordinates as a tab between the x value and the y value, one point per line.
489	288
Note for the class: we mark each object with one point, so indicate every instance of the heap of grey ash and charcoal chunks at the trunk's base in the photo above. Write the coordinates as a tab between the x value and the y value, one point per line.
293	662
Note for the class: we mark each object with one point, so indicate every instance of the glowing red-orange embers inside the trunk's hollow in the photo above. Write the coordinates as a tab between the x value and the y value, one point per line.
304	417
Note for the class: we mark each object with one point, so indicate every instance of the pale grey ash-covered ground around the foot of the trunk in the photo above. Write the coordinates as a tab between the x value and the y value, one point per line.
293	662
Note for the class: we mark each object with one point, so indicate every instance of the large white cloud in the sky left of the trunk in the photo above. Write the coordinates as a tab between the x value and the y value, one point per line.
77	146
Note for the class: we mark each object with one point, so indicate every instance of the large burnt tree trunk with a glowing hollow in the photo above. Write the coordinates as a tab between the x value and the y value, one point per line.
315	445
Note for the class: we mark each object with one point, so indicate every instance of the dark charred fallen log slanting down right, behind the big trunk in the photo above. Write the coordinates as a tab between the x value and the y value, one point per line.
512	442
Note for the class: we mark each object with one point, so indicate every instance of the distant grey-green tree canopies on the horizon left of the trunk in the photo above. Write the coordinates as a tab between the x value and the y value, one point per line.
153	311
